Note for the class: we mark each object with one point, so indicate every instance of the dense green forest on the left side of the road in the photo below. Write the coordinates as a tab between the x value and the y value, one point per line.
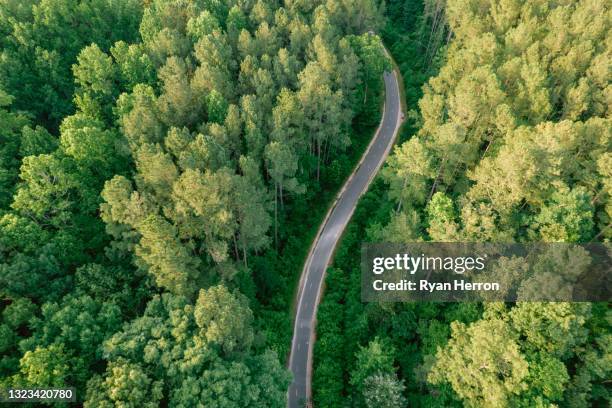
158	161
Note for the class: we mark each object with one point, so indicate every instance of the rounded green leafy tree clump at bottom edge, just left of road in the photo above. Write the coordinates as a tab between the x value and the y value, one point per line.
191	353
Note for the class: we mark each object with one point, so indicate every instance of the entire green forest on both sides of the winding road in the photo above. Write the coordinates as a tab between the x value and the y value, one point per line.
165	166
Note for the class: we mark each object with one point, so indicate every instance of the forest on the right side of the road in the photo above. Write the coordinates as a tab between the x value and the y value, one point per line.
509	140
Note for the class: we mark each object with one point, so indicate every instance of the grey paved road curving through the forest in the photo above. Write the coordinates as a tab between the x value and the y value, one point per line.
309	293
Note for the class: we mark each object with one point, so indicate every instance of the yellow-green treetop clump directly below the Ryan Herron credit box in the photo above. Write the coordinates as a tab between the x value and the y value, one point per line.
515	360
